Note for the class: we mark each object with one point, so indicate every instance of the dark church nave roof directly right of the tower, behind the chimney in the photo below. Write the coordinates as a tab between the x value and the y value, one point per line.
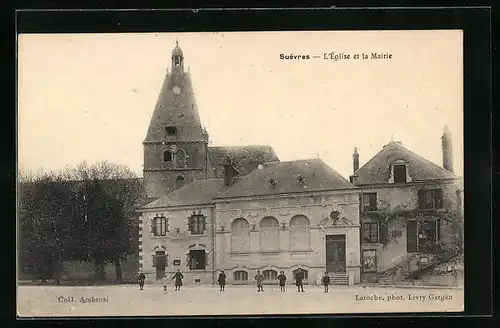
244	158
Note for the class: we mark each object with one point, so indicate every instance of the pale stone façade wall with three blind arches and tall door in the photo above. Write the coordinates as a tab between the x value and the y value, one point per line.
290	252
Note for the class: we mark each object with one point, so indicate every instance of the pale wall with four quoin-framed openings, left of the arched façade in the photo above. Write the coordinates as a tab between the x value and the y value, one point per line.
177	243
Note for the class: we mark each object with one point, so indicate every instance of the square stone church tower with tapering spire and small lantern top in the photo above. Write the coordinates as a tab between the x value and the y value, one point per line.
176	145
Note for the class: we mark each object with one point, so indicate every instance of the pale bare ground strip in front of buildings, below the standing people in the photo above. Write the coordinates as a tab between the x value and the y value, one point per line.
128	300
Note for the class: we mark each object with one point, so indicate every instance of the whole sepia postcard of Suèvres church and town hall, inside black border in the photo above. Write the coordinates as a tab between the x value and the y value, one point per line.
240	173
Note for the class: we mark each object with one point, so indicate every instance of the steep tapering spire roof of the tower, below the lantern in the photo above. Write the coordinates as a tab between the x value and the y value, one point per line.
176	110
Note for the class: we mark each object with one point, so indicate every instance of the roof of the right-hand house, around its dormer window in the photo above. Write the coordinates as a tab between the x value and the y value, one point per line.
377	169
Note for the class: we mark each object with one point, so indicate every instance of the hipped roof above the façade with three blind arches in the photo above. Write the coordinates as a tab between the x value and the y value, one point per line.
316	174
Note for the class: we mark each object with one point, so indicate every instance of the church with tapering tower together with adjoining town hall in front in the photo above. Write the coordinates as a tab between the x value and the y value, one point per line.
240	209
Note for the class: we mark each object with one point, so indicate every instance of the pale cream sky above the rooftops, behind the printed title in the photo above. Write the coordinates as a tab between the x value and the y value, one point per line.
91	96
